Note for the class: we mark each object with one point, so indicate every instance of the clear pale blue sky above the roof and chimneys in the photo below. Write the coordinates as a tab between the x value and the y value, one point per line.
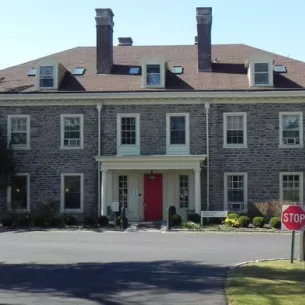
34	28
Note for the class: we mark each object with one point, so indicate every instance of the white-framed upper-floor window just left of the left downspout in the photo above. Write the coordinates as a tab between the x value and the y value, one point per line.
72	131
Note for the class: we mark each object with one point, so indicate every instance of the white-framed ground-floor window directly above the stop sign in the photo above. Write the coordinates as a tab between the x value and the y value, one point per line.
291	187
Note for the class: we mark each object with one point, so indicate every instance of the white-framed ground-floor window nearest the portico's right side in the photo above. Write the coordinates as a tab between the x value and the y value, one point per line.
236	191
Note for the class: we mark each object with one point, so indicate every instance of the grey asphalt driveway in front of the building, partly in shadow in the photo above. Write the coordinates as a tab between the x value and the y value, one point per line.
136	268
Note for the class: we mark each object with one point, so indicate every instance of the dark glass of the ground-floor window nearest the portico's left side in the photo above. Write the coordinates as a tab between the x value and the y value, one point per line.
72	192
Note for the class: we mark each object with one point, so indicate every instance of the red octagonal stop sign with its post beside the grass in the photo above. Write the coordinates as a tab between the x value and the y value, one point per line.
293	219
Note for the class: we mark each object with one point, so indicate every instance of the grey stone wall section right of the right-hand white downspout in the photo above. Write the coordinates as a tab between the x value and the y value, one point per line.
263	160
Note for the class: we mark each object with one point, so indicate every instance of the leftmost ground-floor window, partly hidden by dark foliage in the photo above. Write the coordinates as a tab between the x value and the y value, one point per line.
18	196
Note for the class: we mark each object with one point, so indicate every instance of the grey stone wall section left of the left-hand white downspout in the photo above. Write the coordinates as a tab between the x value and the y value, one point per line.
45	161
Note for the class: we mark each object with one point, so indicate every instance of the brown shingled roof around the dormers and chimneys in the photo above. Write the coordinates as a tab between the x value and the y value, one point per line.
228	73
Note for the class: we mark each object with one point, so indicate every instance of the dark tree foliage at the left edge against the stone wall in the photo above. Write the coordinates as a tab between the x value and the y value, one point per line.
7	163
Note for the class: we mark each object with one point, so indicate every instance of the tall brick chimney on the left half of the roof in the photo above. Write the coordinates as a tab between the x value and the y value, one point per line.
104	40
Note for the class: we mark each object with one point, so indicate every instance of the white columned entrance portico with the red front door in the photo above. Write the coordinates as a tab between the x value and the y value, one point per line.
147	185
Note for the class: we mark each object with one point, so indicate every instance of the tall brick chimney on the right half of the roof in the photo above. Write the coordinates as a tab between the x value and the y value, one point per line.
204	26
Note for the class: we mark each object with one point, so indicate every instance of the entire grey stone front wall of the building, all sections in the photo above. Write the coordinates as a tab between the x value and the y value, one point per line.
262	160
